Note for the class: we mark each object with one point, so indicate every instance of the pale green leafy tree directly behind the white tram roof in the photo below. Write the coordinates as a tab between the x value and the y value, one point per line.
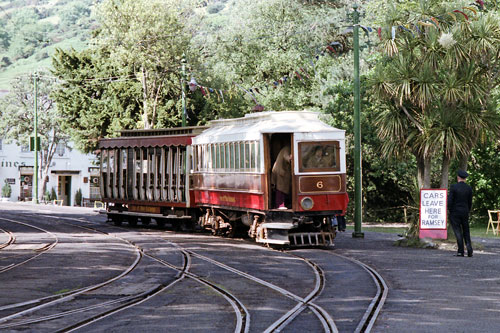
274	46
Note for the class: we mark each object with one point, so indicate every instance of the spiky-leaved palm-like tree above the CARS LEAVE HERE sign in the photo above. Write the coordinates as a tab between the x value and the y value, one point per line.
431	84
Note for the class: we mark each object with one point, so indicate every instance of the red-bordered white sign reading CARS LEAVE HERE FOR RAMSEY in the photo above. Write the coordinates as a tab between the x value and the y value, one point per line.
433	213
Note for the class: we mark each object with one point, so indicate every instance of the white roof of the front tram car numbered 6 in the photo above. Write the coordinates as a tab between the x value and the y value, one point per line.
253	125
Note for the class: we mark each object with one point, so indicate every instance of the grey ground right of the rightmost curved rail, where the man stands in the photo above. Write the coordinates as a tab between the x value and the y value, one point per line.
431	290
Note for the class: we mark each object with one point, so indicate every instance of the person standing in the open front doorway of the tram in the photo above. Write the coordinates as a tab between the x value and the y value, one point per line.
282	177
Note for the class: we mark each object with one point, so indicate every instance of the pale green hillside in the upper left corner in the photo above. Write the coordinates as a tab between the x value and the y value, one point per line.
31	30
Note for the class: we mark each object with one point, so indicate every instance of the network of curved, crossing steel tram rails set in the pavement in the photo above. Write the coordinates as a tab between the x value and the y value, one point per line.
242	315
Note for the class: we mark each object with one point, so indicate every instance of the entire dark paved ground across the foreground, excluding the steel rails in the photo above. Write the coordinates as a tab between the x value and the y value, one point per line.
429	290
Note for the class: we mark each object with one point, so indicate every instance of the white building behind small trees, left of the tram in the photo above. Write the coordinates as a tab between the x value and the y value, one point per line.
69	171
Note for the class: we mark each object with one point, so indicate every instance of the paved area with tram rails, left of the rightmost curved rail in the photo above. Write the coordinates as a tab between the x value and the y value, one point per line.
199	283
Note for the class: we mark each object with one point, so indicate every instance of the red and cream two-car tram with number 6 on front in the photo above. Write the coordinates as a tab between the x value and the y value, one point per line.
220	177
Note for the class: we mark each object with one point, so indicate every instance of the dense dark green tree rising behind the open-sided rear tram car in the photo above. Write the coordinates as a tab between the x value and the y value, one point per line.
95	97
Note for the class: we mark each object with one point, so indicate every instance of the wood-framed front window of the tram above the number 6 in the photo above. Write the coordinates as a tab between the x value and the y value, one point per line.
319	156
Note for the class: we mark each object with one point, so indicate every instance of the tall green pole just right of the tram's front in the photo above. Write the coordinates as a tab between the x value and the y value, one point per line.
357	132
